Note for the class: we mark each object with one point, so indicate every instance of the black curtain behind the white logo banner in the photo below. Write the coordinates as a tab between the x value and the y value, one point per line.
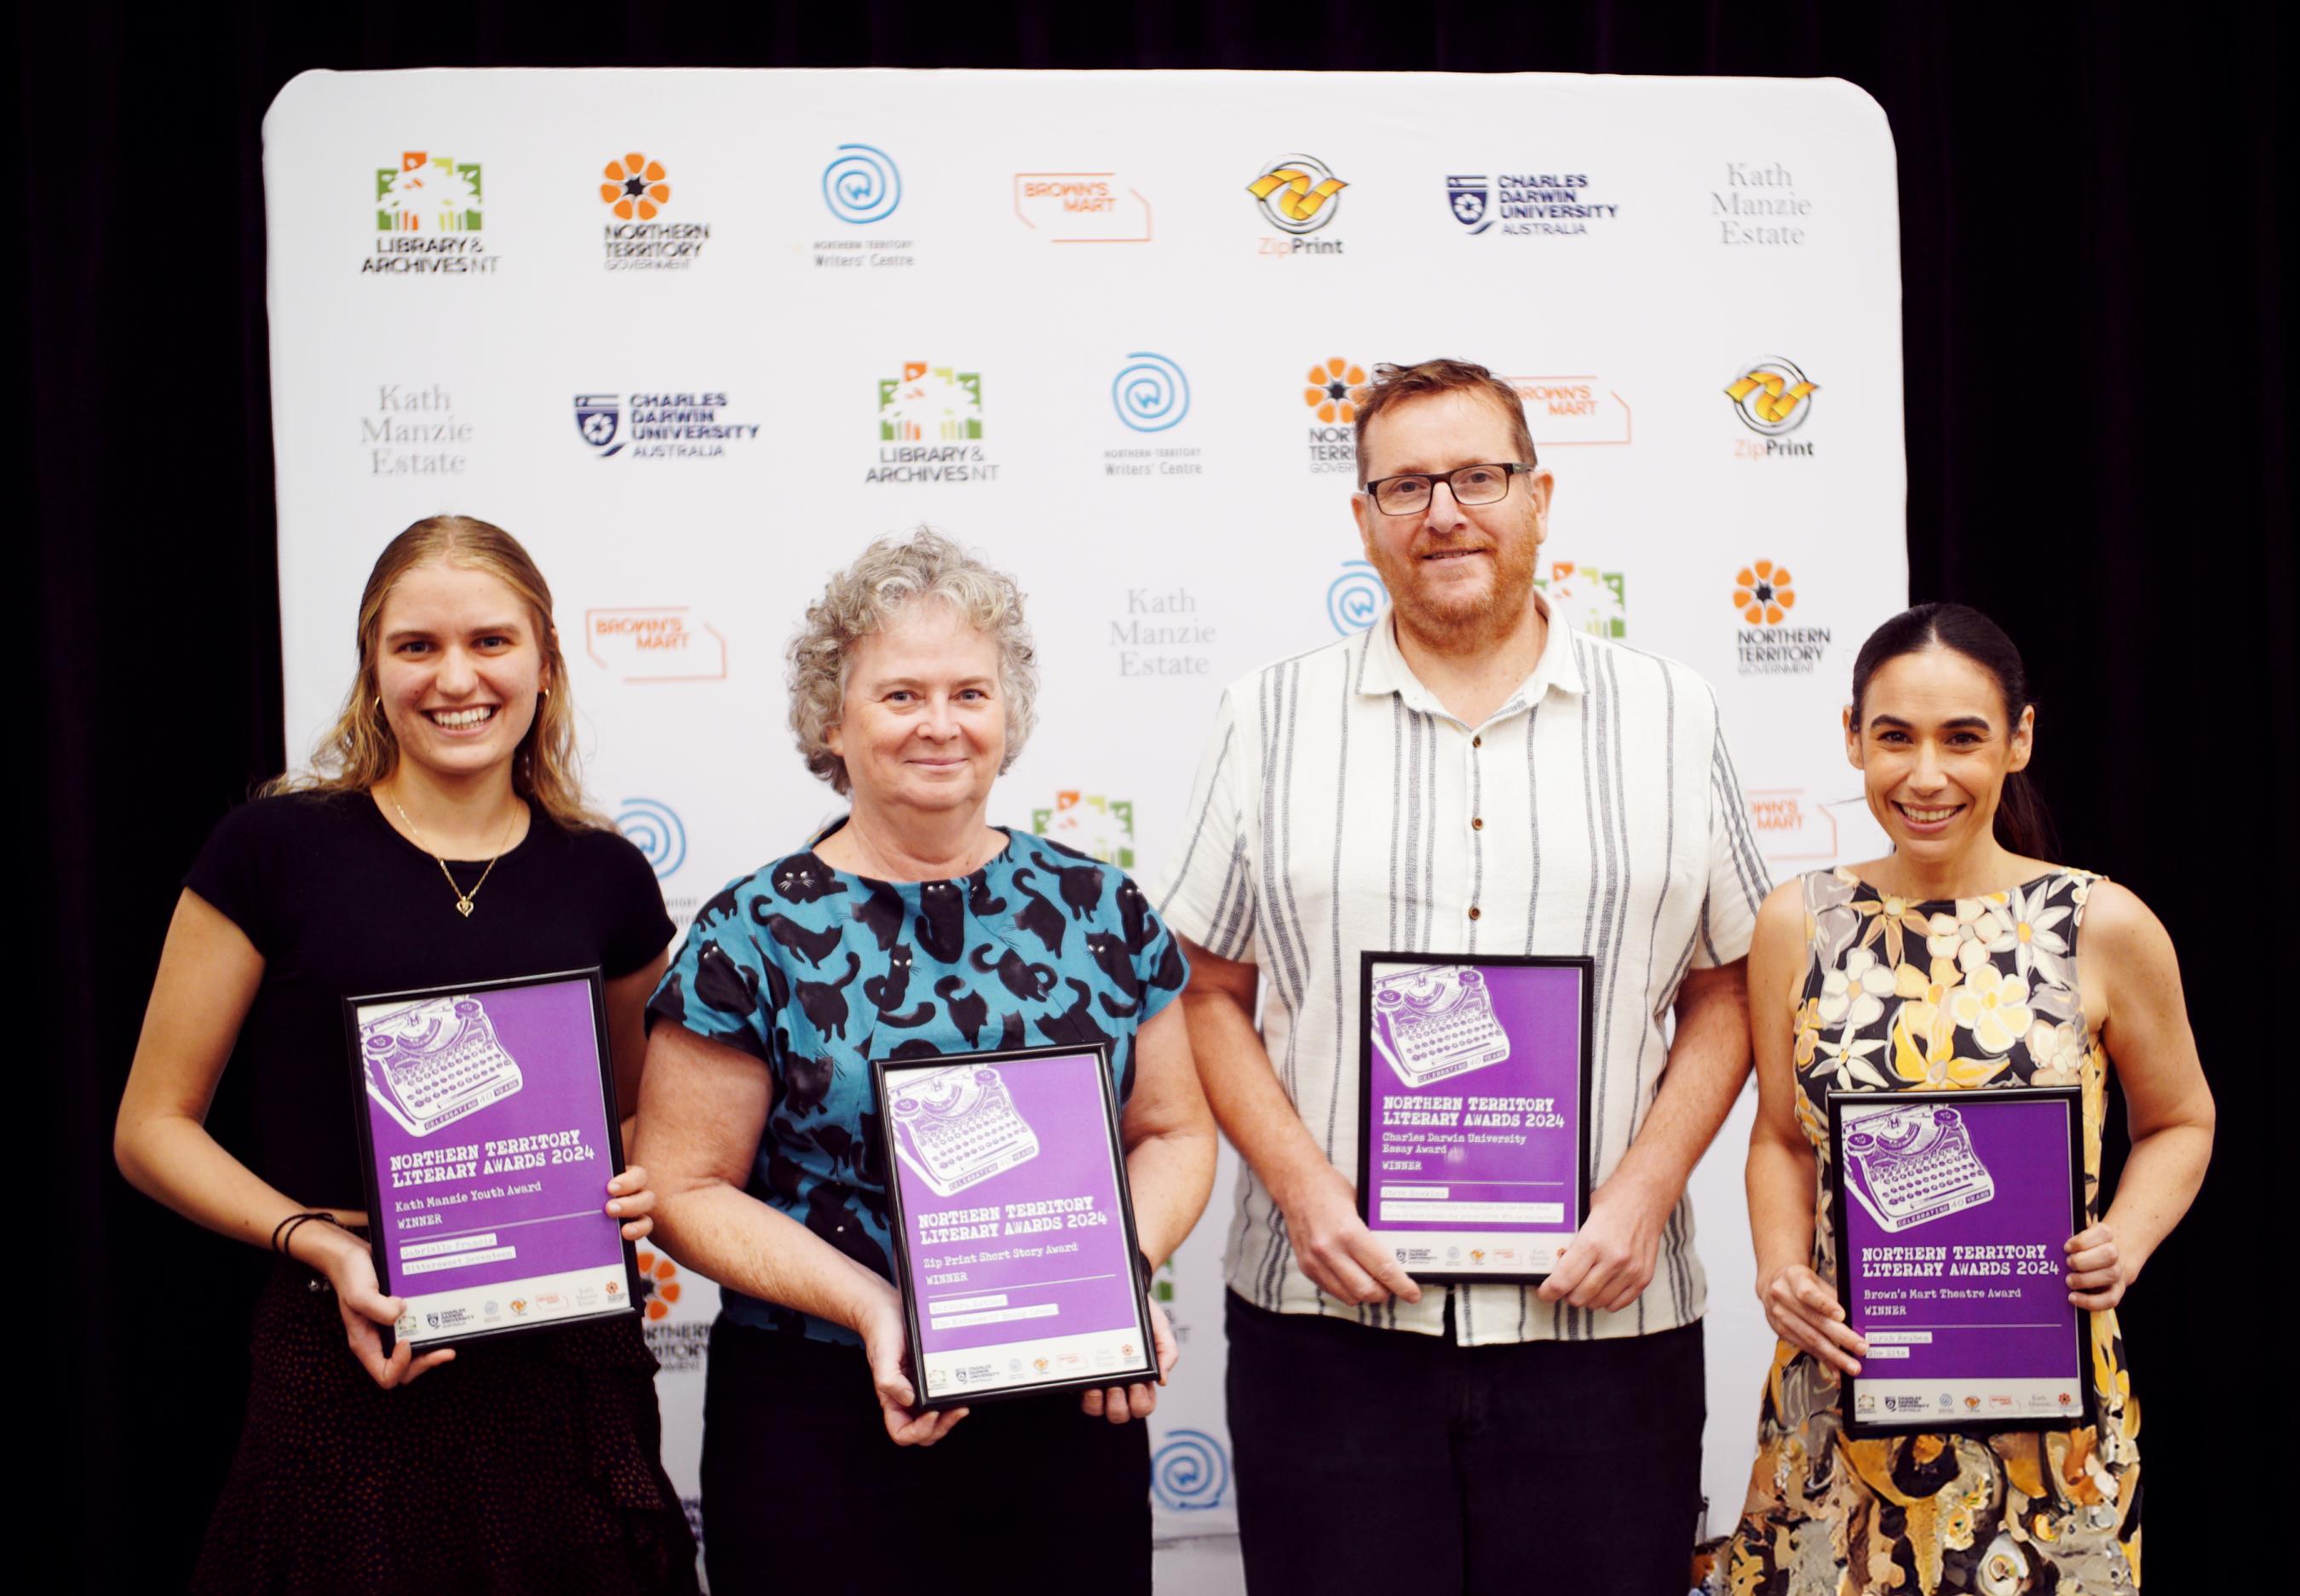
2096	456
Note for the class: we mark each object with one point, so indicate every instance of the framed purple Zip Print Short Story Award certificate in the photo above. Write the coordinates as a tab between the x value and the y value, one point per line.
1013	1225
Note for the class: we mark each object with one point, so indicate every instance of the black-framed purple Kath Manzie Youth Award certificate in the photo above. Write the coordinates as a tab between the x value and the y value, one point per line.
489	1137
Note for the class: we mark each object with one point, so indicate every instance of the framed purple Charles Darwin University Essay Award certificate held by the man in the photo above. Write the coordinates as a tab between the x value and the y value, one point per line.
1473	1130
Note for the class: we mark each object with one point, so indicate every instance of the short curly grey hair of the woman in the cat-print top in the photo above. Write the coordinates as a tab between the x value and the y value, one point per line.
866	597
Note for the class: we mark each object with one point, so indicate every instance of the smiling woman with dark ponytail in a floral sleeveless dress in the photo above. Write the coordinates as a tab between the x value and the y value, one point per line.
1954	962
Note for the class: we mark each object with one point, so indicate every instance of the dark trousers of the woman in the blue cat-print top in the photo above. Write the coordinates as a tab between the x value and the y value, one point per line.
806	1494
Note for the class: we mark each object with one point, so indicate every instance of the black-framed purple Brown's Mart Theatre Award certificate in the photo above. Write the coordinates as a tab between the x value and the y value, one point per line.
1952	1213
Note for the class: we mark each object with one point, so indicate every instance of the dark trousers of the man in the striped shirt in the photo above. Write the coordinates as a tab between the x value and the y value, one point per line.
1379	1459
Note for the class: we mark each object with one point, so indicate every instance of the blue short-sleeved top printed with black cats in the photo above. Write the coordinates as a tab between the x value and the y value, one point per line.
818	974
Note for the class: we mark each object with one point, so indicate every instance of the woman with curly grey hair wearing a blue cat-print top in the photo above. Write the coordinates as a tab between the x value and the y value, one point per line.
910	928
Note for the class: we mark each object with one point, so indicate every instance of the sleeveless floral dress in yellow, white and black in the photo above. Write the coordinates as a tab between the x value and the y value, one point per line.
1899	997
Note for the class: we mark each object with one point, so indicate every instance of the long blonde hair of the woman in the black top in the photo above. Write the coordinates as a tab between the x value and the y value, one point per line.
360	751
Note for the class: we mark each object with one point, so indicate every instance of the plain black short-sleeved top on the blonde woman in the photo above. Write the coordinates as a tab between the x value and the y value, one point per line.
339	905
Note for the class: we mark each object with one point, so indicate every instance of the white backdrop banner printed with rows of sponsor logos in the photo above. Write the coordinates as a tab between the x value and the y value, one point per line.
696	337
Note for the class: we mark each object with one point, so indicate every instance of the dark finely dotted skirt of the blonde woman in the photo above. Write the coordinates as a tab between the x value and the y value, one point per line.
521	1466
